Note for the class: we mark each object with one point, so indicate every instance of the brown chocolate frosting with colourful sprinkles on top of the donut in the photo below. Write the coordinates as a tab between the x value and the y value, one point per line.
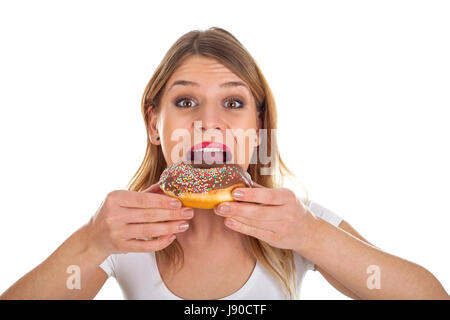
198	178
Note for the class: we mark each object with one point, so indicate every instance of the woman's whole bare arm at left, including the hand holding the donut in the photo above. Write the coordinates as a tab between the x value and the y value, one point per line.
118	226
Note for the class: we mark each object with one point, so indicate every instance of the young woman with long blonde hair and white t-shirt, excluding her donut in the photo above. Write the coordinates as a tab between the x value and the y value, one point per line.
257	247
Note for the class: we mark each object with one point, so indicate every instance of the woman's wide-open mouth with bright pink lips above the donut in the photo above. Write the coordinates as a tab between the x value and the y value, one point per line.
209	152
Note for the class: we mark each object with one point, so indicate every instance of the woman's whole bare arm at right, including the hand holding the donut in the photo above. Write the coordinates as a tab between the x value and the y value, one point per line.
278	217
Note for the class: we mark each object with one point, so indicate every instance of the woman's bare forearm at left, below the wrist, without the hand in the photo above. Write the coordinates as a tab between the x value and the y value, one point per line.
49	279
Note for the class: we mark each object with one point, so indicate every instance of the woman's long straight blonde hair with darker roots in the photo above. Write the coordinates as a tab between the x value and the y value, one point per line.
221	45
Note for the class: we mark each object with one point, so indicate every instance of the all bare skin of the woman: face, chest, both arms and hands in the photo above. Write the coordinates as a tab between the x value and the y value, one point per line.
209	244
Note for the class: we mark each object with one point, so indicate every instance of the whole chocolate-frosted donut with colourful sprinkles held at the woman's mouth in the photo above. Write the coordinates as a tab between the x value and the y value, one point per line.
203	186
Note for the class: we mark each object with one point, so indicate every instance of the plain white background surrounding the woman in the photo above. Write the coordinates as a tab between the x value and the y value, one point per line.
362	89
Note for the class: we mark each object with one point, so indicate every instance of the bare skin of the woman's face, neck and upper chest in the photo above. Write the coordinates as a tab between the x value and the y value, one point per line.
208	245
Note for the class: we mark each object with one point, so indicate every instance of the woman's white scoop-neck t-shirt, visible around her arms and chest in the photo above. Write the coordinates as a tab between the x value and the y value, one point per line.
139	278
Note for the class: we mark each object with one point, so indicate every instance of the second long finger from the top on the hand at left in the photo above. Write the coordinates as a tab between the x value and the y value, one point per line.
133	215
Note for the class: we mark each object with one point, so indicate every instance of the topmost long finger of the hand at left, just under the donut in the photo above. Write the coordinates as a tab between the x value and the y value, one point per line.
133	199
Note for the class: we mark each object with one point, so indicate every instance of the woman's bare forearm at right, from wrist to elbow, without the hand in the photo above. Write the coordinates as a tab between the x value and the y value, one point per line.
346	259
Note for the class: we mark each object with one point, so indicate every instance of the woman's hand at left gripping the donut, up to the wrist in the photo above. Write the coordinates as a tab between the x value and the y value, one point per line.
125	218
